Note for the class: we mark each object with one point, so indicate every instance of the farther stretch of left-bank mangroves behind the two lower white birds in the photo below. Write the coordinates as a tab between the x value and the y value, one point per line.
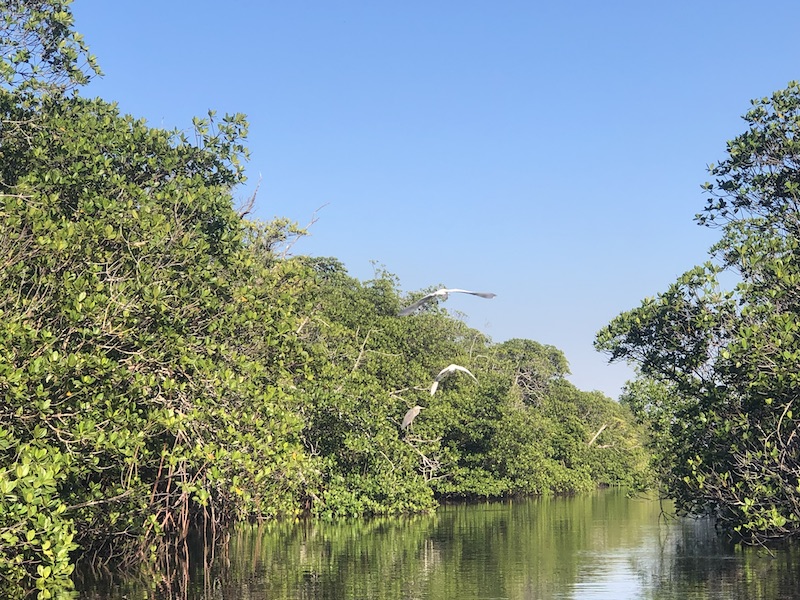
522	429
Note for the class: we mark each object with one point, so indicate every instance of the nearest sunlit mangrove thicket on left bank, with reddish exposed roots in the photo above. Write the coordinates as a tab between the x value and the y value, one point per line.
144	342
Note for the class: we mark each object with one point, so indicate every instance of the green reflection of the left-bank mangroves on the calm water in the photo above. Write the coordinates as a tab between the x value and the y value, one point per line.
517	549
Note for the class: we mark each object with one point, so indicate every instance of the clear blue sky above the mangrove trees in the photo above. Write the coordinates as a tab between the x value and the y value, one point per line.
551	153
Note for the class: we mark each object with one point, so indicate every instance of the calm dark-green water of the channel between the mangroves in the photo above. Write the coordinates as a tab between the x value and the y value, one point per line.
592	547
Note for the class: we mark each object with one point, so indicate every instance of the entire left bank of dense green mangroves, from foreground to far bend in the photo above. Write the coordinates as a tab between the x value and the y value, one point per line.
165	368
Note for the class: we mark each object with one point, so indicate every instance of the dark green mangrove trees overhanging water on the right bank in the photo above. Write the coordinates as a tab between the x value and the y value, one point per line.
720	368
